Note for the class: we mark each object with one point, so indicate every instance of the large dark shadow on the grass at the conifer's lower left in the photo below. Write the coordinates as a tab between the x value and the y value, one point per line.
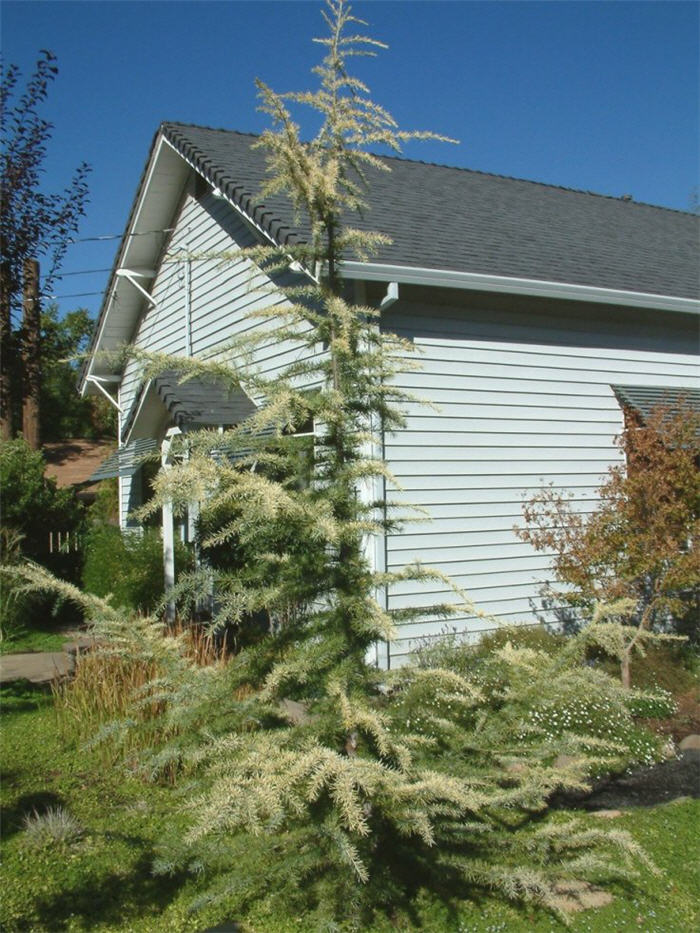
116	898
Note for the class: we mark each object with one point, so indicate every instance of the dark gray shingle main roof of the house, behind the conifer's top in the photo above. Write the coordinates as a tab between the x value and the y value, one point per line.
460	220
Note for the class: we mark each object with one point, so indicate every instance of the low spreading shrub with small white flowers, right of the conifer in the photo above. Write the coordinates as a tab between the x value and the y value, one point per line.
551	694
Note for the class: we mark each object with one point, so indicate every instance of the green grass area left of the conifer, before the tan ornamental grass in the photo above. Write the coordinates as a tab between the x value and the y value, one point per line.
101	881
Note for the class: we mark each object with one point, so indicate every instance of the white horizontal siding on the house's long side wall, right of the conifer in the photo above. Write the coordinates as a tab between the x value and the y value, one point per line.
523	399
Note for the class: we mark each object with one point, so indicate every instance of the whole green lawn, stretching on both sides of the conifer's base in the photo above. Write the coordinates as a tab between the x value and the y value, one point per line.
103	881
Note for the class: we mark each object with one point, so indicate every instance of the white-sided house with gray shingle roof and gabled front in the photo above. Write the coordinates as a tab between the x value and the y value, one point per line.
536	310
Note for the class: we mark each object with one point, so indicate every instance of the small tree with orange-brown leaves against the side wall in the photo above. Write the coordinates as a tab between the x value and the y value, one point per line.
638	550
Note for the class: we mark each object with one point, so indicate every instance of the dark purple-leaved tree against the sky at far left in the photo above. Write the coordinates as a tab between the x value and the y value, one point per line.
34	225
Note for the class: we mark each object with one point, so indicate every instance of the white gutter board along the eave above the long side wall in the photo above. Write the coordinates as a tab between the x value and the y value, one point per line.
475	281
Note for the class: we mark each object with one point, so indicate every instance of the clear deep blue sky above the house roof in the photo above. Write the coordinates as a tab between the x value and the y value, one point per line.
601	96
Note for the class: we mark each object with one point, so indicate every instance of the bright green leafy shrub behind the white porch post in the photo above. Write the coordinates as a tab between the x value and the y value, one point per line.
128	567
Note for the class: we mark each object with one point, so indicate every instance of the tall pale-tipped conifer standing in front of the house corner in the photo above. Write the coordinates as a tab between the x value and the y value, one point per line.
314	791
